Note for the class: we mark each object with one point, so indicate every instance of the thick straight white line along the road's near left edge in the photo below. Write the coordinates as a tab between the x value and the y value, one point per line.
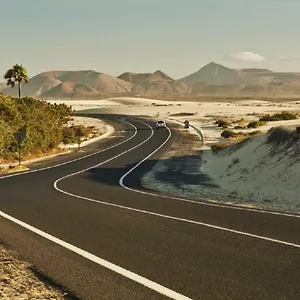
106	264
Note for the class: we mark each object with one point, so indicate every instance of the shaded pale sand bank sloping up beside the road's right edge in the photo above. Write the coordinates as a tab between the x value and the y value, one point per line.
263	174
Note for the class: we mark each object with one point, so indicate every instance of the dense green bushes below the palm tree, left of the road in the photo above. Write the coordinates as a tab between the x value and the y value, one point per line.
43	123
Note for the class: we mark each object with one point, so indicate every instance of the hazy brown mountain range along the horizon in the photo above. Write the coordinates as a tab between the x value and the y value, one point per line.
212	79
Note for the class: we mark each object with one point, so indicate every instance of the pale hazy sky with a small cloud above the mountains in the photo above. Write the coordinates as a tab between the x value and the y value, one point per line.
175	36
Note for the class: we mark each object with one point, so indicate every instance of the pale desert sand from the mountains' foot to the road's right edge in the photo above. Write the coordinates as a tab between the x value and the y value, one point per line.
253	175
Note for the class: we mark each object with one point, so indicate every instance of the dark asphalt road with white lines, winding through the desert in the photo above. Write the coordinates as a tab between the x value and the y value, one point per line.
105	238
